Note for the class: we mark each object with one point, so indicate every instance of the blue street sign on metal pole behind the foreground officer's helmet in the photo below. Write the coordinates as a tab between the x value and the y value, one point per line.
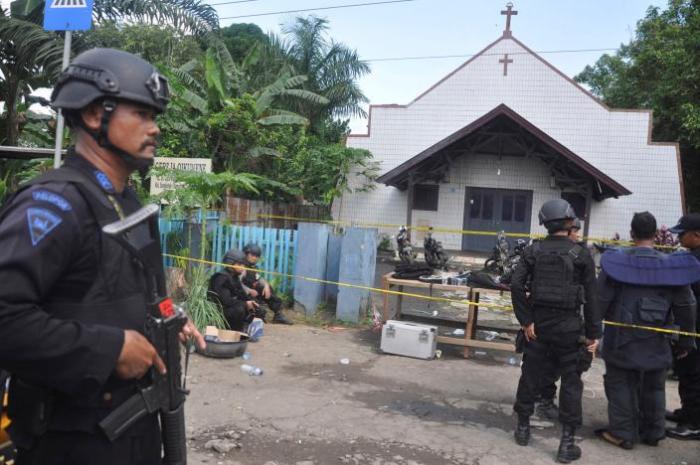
66	15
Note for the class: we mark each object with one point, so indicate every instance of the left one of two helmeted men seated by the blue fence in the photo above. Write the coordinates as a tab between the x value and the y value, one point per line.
238	306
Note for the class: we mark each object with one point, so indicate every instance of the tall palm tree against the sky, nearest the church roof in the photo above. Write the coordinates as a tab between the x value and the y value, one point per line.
333	69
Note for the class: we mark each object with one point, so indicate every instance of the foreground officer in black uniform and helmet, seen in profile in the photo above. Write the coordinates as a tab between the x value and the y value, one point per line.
72	303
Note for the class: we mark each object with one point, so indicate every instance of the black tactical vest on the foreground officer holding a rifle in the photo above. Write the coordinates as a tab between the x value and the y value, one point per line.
116	298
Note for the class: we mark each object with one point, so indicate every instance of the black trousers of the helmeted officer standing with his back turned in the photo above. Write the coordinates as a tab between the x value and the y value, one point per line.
562	352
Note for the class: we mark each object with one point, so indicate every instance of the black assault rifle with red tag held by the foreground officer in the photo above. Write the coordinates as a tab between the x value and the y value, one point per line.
138	233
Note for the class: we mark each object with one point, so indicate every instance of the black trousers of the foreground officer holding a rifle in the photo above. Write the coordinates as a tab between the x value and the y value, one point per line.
78	448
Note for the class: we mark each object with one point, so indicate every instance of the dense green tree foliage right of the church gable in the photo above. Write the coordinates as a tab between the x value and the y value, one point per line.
660	69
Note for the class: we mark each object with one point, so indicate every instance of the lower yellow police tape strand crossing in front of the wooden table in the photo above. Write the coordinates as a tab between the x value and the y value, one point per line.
420	296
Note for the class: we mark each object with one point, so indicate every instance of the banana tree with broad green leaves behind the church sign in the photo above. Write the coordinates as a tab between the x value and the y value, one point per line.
217	112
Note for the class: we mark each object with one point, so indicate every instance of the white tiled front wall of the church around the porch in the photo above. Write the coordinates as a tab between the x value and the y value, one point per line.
615	142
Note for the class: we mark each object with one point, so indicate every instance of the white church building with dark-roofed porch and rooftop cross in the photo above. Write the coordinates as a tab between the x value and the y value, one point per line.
487	145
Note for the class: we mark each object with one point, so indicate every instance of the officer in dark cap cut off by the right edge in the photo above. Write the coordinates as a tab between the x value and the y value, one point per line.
688	368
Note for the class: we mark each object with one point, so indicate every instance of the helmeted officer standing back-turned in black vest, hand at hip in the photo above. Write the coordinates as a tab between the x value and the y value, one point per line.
562	278
